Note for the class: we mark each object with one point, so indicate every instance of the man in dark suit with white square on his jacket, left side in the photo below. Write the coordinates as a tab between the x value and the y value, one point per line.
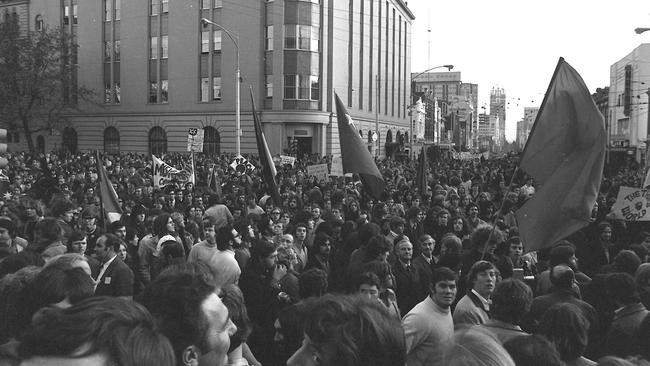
115	277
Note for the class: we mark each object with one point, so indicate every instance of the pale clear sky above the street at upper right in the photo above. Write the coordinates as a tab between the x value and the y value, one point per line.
516	44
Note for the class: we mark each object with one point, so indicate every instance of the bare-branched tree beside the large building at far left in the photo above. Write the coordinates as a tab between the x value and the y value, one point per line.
37	85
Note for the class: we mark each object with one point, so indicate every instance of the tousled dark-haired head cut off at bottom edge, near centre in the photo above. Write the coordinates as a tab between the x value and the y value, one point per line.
358	331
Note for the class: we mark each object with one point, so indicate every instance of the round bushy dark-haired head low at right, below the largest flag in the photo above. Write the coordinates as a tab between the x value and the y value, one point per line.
567	328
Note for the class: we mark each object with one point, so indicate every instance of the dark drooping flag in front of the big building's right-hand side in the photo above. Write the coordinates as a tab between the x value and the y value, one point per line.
356	157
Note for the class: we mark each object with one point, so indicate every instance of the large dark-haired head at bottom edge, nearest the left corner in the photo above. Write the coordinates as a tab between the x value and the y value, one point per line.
121	330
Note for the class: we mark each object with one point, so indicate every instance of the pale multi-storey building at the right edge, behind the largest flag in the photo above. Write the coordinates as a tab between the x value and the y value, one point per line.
629	88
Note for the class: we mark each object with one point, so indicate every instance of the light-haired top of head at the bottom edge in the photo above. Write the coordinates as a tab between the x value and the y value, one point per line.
471	347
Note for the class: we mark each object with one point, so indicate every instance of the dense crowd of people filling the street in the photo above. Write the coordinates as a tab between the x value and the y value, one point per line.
214	271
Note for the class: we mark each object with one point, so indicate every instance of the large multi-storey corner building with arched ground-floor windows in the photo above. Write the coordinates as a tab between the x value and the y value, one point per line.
158	69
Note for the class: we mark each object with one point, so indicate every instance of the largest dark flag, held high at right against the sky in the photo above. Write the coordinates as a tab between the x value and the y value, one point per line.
565	154
